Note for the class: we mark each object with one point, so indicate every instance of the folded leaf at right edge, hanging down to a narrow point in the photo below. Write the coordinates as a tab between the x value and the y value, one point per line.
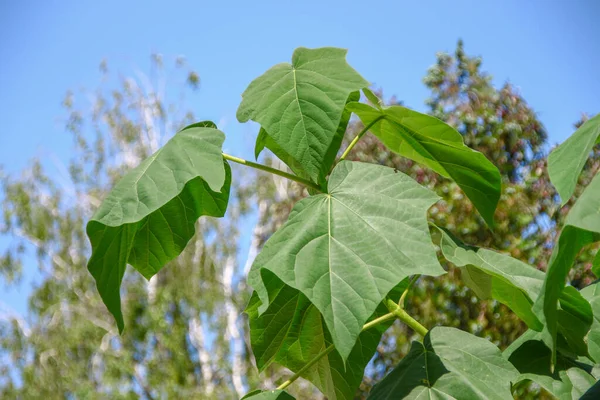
582	227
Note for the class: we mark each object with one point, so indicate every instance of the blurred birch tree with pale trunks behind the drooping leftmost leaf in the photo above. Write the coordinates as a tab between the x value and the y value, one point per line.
184	337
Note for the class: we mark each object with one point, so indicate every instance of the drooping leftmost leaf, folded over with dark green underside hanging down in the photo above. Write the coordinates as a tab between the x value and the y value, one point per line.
149	216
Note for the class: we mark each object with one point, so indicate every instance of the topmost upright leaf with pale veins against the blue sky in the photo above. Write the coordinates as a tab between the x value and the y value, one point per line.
300	105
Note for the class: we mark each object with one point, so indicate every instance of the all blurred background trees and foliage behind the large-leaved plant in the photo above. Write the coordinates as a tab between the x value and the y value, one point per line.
191	343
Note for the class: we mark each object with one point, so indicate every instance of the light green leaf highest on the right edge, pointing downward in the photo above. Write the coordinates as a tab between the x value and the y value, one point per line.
566	162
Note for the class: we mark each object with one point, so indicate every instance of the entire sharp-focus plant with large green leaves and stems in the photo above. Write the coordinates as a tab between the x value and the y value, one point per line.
336	275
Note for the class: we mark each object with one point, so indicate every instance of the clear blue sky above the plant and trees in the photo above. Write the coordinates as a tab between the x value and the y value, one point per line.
549	49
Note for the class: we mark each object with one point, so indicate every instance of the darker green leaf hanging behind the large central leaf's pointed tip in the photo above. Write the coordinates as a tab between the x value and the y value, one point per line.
292	332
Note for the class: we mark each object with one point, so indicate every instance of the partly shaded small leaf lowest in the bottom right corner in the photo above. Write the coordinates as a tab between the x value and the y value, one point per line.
532	358
